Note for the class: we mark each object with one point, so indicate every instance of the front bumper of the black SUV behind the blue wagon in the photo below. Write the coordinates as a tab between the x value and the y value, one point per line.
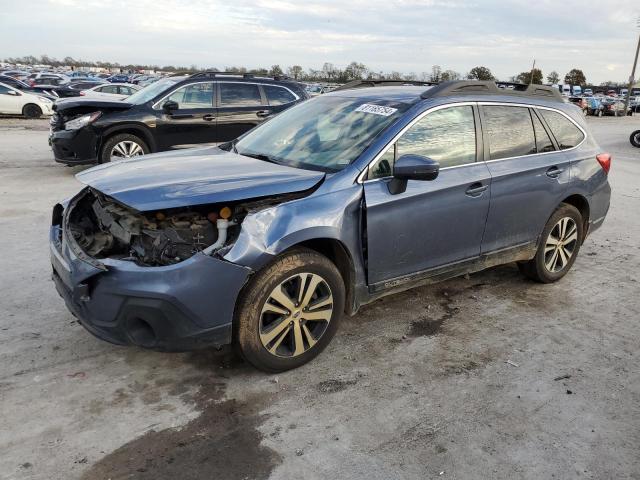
74	147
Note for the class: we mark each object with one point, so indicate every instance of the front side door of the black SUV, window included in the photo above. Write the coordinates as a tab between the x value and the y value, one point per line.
193	122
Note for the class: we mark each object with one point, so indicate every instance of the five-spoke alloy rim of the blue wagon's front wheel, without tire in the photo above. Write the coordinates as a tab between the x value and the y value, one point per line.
296	315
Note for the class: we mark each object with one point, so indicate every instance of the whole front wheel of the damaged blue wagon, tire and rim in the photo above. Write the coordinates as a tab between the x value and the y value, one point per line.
289	311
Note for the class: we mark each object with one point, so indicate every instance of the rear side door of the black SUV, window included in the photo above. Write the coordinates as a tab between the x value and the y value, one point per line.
241	106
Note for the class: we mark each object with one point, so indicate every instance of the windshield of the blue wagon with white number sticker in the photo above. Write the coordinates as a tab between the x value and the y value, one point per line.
325	133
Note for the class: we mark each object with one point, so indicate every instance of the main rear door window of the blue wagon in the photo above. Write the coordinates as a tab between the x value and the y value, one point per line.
510	131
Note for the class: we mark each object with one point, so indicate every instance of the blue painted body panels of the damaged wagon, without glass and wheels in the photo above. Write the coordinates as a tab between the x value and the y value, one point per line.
432	225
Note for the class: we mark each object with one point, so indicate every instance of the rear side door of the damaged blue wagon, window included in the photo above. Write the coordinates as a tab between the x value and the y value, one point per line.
529	174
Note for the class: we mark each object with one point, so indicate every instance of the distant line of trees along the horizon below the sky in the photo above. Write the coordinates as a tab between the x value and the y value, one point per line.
327	73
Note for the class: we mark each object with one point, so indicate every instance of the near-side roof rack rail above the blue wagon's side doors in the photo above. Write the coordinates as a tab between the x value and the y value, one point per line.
478	87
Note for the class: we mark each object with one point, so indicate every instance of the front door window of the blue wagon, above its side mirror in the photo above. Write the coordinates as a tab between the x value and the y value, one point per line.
447	136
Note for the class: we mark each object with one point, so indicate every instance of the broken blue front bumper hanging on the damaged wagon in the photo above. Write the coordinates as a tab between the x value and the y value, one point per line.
180	307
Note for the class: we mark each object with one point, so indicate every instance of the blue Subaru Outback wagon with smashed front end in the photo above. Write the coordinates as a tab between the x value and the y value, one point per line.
266	241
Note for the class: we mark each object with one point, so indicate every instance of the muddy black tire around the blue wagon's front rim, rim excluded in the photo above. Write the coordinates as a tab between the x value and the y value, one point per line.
246	331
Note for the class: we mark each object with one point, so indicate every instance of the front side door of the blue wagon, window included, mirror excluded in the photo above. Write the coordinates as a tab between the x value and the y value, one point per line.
432	223
